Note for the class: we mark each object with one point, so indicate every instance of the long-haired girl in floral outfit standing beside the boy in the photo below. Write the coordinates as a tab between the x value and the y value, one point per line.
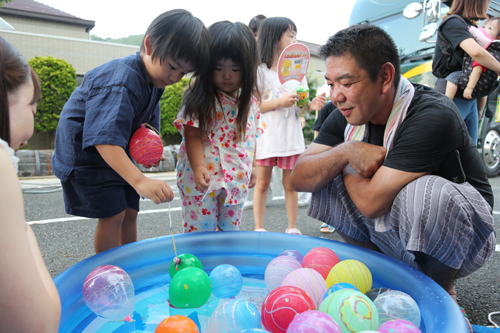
220	122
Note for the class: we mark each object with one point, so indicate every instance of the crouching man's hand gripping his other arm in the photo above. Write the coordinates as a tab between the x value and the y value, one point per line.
366	158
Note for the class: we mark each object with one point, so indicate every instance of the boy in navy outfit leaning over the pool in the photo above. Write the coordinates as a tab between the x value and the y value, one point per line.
92	156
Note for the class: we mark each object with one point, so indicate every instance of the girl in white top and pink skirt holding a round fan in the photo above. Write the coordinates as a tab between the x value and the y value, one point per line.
283	141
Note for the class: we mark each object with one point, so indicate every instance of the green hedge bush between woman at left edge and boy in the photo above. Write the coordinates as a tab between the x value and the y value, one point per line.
58	81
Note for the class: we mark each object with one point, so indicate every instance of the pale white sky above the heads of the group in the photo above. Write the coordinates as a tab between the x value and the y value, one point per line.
114	18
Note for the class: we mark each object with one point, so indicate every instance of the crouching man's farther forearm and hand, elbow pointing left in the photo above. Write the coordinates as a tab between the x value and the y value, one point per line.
320	164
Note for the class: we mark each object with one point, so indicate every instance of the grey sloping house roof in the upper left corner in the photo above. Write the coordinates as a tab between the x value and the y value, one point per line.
37	10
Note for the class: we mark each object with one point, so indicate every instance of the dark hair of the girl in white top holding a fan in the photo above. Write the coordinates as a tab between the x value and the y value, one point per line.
270	32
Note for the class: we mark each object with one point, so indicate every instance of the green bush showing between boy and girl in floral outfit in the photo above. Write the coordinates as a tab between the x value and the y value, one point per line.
170	103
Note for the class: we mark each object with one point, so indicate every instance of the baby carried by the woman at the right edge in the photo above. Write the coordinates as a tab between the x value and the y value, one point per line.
484	36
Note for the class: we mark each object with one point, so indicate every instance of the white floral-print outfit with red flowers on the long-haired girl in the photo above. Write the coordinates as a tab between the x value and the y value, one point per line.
228	160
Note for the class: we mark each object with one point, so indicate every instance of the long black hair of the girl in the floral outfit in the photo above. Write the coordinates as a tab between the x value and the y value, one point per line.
234	41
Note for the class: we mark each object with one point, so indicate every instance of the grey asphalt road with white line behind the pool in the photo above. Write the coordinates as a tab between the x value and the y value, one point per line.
65	240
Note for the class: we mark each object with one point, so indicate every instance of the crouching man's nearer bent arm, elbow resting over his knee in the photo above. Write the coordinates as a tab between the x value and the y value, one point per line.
374	196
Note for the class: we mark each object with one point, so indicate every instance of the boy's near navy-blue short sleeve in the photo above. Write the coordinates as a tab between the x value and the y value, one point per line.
109	112
